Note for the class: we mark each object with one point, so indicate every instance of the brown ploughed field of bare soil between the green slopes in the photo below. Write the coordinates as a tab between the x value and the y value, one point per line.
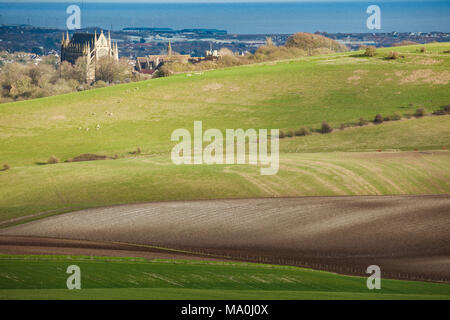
407	236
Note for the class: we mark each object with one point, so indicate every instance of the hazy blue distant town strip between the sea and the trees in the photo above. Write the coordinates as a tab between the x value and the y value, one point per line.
140	42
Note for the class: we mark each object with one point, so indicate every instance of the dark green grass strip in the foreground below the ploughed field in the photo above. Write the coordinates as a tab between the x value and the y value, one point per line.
44	277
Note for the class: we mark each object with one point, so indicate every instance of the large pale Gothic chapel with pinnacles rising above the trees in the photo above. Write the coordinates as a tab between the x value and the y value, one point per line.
92	47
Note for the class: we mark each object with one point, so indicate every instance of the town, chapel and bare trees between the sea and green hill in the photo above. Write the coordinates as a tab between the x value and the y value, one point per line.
38	62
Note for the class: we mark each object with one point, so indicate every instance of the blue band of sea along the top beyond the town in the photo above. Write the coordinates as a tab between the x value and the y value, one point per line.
238	18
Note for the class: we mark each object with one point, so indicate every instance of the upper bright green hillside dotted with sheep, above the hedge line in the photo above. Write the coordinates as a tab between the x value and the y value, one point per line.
337	88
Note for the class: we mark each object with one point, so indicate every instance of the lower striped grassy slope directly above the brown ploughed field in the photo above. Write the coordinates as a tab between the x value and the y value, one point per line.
71	186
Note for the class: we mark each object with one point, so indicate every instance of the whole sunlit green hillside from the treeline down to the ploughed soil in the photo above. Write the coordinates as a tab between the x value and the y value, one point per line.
338	88
